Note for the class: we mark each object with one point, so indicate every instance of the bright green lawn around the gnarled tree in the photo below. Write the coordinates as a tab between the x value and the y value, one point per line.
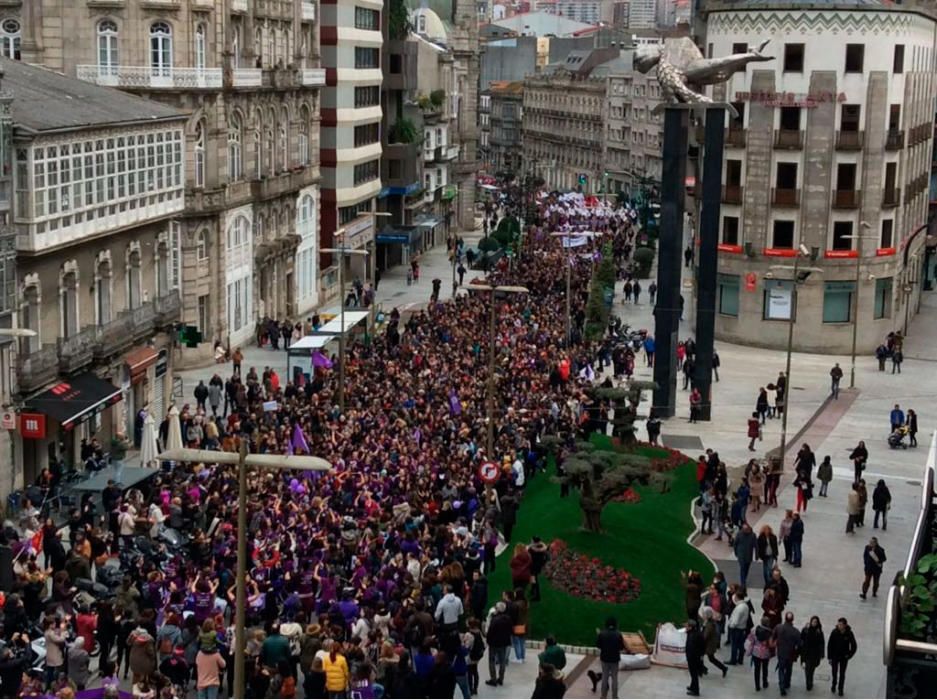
648	539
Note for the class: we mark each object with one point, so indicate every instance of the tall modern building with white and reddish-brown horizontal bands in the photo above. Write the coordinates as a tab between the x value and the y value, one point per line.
352	44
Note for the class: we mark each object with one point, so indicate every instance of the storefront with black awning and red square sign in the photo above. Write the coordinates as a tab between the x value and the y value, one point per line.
56	420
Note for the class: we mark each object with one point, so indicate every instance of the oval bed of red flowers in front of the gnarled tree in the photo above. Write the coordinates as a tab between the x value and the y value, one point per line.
587	577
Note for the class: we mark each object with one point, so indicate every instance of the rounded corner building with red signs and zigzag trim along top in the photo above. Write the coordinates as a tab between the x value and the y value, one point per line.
832	150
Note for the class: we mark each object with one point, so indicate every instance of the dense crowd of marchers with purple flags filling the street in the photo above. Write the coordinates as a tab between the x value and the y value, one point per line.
369	579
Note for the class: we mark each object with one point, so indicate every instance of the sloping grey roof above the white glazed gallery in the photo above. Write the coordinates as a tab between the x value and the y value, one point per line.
44	100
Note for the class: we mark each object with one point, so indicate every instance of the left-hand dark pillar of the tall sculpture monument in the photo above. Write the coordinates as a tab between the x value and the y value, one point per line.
669	260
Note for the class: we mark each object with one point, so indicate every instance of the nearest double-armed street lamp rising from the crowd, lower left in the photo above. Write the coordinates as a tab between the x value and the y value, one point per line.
243	460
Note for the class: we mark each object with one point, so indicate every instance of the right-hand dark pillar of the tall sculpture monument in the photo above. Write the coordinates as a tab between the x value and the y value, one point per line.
706	268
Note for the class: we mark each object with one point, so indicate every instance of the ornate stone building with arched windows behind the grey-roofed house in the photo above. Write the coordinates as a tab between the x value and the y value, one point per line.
247	72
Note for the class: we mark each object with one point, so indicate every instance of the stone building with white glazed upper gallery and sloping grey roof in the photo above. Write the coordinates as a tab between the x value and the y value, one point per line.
98	189
